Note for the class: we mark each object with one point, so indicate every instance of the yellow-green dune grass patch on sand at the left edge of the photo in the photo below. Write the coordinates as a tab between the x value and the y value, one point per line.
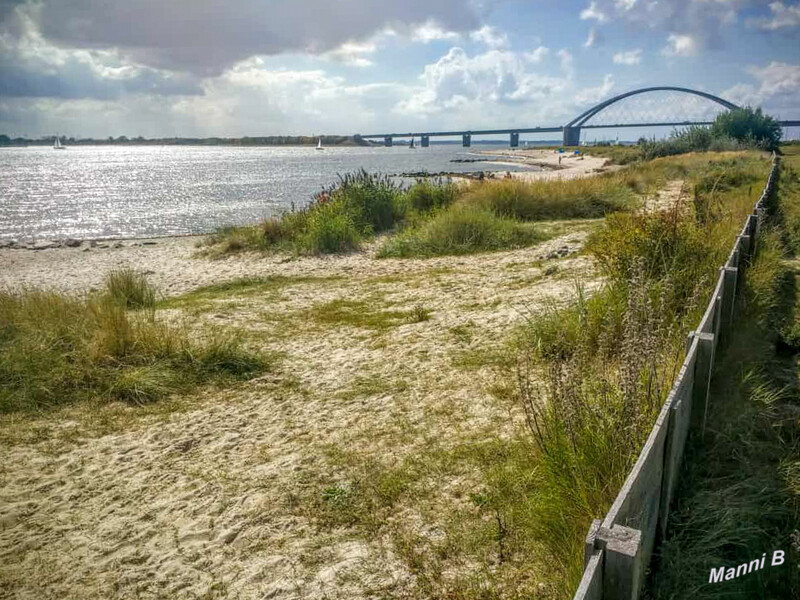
57	349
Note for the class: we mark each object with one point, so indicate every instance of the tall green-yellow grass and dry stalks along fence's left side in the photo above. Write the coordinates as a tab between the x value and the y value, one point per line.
592	376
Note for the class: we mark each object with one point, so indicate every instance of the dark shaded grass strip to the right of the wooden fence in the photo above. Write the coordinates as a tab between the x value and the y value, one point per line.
739	496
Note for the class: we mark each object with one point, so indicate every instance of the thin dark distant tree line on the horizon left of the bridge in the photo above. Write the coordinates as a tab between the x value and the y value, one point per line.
271	140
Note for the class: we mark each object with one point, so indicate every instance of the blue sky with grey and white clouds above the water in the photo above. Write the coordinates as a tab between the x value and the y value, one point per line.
230	68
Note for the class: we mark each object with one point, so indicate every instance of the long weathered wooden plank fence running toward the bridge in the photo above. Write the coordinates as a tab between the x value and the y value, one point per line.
618	548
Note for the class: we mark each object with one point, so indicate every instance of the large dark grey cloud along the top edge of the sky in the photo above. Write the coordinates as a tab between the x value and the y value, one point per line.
207	36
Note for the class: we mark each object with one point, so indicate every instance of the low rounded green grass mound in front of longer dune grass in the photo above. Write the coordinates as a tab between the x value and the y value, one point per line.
460	230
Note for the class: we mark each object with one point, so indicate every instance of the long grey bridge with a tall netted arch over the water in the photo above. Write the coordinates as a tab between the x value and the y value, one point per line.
571	132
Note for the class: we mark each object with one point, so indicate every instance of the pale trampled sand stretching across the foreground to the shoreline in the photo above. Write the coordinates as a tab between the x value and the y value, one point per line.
217	500
